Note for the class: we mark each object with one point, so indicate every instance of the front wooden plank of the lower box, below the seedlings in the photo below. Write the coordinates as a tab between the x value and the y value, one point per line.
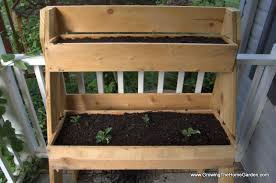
140	157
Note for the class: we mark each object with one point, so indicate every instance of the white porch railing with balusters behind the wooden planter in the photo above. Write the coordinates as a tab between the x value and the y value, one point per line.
266	64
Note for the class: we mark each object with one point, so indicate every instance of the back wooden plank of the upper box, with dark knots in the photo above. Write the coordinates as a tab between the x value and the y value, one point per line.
141	19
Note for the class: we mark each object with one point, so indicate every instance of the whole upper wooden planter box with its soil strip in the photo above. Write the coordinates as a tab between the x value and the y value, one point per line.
147	38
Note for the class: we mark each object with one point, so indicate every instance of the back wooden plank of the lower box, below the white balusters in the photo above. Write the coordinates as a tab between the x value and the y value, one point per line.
146	101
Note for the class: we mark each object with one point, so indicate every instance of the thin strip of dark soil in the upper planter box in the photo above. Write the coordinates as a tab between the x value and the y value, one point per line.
129	39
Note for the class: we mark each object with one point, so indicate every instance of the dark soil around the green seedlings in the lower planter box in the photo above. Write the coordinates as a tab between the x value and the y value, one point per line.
130	129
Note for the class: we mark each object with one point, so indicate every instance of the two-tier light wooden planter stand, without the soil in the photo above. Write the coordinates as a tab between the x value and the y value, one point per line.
87	22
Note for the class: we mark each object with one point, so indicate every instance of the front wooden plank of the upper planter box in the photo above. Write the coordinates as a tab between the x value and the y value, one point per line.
140	57
